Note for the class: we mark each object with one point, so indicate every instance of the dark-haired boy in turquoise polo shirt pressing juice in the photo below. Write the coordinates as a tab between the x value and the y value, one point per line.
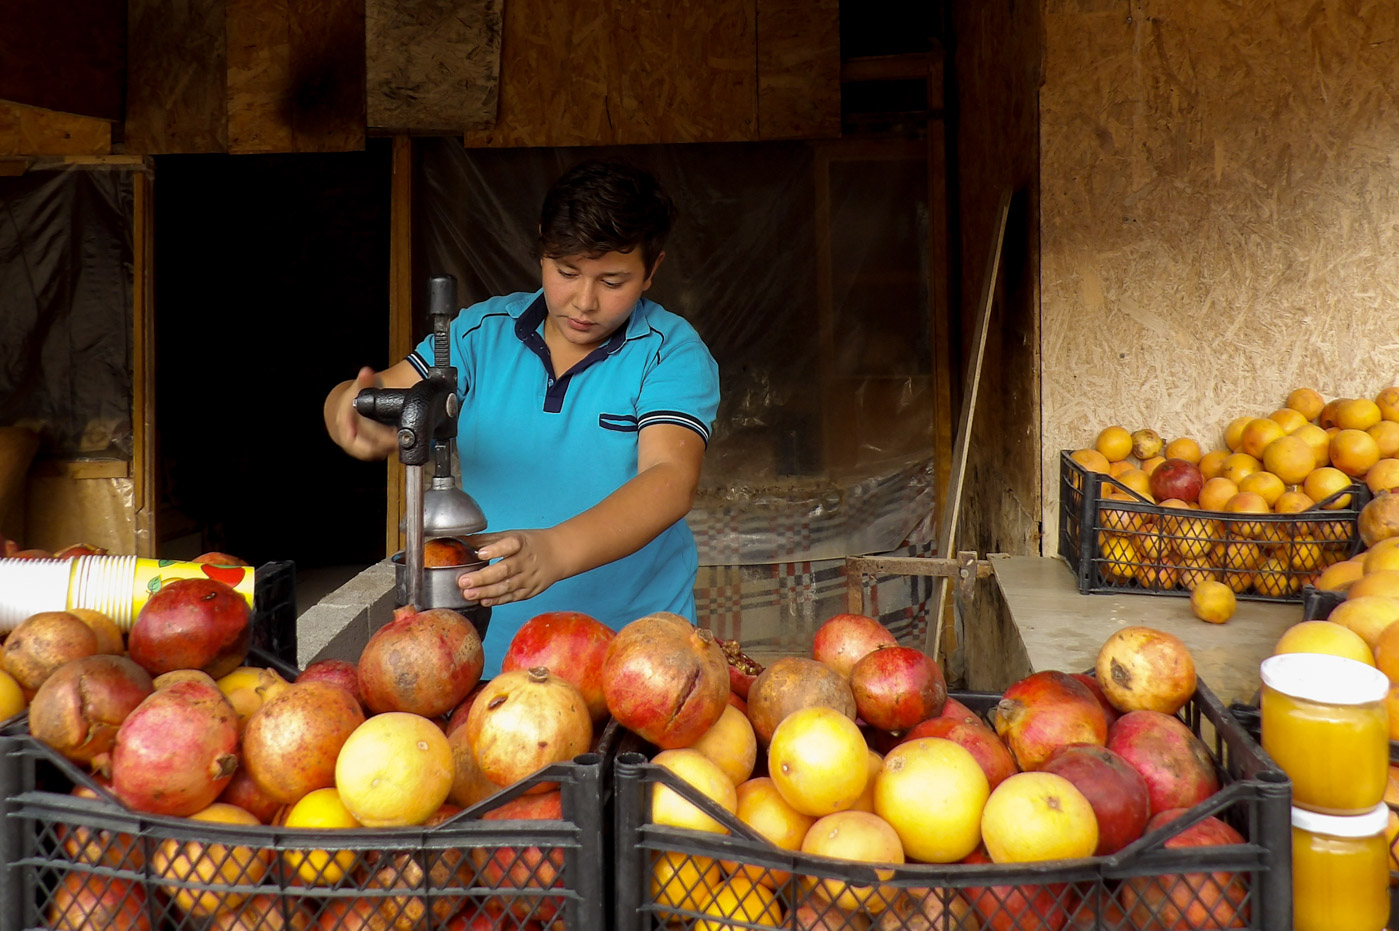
587	411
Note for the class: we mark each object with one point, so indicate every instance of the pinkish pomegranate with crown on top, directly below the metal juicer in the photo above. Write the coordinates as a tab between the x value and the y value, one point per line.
422	663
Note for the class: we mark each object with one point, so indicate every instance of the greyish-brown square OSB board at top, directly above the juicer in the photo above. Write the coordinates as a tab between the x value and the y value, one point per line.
433	66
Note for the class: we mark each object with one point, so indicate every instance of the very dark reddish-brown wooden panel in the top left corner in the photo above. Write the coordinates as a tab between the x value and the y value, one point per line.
66	57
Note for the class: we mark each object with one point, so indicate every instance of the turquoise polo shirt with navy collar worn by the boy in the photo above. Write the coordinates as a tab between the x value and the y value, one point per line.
538	449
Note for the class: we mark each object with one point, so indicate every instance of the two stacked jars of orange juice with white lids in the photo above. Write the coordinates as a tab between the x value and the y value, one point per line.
1324	723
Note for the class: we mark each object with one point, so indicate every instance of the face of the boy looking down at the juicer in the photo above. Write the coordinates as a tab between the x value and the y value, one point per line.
590	299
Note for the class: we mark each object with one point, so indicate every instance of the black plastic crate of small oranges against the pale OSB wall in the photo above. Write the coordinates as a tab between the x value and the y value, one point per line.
1127	545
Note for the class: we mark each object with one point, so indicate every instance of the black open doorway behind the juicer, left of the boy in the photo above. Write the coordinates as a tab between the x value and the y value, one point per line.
272	285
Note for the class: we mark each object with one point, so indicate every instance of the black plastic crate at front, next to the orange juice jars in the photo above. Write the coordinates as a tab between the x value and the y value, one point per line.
1254	799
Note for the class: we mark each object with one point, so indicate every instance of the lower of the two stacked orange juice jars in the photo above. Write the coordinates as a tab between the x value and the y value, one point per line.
1341	871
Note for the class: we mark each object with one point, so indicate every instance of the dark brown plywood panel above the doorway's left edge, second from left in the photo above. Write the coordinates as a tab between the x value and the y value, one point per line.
176	78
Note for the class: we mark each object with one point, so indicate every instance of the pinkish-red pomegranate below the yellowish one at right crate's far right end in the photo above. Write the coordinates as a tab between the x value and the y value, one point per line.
1176	765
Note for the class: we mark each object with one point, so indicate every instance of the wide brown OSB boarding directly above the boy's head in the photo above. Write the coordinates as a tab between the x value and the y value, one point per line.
597	72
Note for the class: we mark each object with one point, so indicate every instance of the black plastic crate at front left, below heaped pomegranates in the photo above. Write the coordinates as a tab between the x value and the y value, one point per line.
72	857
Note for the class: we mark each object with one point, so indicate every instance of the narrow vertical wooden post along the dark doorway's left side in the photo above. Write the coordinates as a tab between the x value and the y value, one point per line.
143	365
